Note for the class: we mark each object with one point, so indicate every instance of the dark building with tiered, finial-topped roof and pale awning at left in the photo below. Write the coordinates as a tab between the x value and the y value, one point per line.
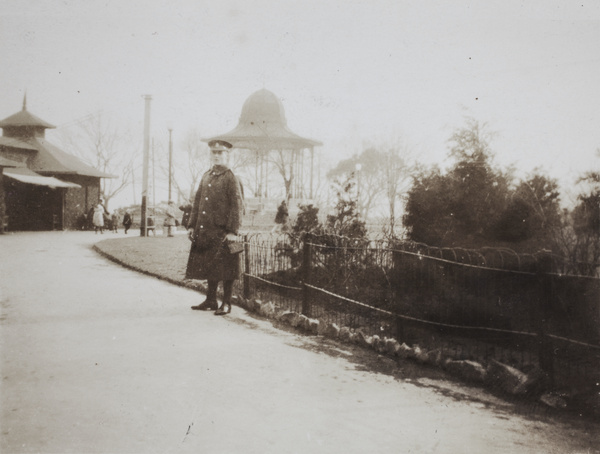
44	188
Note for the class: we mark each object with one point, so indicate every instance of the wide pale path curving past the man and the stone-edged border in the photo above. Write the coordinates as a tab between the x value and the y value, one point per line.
99	359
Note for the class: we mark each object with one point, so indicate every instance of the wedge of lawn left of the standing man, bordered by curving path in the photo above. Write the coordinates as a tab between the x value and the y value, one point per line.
160	256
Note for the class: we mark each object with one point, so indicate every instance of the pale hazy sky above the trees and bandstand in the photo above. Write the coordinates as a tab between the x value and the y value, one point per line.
346	71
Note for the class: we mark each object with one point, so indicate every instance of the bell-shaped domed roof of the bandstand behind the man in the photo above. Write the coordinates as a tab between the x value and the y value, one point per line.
263	125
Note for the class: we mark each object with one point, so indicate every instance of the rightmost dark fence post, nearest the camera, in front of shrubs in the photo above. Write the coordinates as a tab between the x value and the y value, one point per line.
542	312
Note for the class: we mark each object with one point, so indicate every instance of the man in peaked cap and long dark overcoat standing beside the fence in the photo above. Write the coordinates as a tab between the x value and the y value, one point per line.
214	222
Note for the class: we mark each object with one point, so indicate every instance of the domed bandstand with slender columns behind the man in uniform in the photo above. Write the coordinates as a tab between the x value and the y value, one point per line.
263	130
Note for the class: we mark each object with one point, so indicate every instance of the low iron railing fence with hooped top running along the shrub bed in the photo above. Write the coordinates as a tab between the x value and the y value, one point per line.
481	305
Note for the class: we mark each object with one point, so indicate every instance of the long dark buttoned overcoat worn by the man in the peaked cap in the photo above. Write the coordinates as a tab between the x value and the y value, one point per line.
217	210
